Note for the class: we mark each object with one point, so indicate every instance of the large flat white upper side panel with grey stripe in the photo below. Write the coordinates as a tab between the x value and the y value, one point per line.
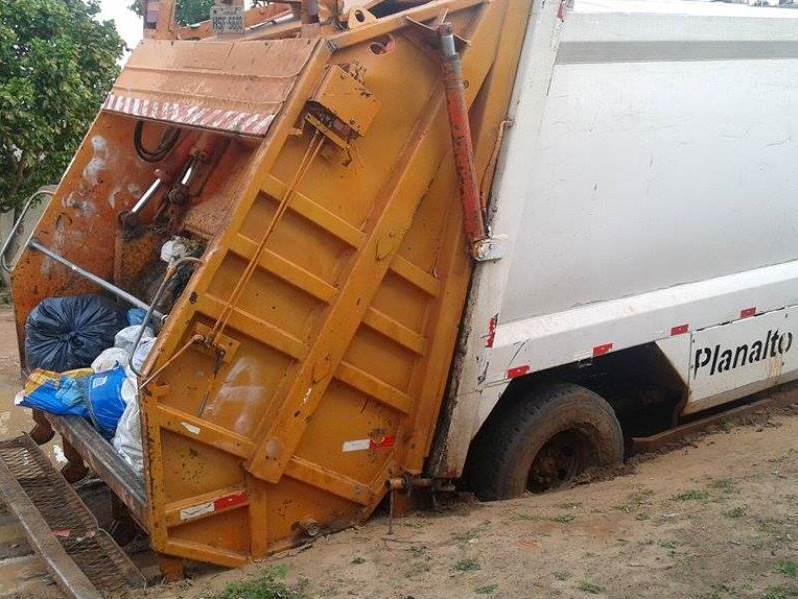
659	162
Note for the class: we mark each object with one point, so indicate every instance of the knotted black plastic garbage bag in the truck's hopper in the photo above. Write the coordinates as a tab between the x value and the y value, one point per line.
64	333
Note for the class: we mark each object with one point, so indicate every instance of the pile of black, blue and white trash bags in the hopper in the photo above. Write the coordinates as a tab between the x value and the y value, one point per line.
84	357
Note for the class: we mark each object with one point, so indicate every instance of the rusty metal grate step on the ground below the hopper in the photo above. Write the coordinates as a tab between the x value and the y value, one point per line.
83	559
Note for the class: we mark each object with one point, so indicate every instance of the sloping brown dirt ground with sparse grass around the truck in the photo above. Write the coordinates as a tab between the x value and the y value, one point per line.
715	518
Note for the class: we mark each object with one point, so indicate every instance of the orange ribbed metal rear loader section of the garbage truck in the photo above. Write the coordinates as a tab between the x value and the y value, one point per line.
304	364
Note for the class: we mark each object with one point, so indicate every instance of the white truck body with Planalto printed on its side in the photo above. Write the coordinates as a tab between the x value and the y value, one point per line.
646	192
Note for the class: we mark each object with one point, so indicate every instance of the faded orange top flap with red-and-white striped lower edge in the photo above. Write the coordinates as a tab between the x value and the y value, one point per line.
224	86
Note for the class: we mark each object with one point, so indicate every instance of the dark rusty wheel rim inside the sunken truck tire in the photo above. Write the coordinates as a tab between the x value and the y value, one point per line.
559	461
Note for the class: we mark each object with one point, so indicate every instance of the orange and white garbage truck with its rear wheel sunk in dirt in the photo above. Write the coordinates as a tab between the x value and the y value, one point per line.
482	242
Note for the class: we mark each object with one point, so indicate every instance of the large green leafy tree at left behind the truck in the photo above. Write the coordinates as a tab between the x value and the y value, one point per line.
57	64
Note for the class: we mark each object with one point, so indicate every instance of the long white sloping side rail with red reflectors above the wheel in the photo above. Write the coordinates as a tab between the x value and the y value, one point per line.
549	340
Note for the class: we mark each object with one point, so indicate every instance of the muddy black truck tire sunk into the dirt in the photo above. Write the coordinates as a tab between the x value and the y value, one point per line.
538	429
